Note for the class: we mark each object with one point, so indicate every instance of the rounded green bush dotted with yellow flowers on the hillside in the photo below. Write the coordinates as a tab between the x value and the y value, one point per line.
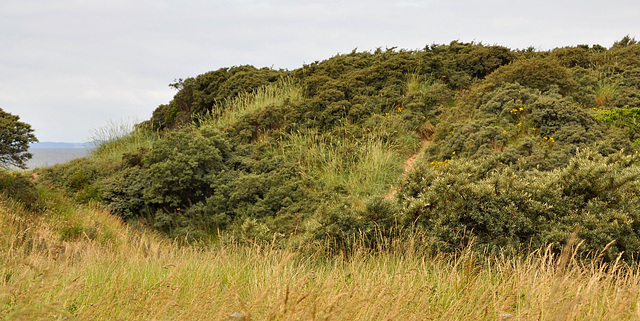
523	127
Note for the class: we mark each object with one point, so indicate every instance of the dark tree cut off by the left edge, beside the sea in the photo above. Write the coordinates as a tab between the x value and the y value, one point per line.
15	137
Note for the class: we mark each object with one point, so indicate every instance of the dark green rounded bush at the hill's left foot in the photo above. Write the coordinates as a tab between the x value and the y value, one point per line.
194	181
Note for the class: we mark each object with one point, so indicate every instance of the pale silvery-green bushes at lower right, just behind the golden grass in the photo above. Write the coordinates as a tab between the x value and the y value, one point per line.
503	208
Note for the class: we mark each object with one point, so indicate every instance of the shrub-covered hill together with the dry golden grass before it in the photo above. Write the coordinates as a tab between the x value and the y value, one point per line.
457	181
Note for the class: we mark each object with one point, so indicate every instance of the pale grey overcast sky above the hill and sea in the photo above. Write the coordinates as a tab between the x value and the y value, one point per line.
72	67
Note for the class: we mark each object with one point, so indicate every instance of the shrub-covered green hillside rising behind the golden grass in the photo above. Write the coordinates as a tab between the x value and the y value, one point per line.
510	149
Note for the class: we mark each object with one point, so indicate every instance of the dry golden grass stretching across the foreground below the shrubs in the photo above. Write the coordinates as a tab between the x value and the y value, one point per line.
110	271
